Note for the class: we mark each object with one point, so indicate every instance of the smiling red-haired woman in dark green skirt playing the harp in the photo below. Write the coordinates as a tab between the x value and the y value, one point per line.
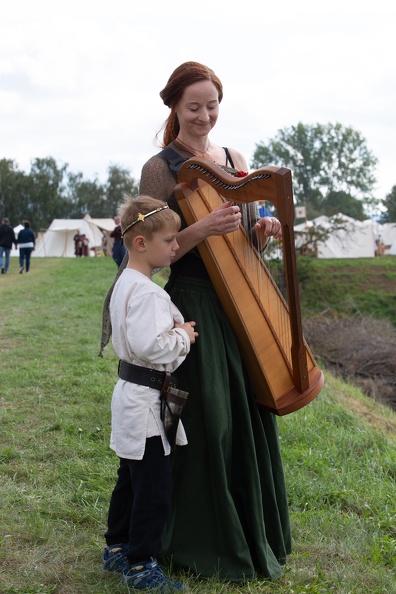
229	514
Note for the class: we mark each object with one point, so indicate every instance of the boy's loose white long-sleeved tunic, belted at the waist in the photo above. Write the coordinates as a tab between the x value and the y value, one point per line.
142	318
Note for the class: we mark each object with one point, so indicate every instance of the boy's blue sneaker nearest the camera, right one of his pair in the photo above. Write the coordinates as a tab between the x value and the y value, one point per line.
148	576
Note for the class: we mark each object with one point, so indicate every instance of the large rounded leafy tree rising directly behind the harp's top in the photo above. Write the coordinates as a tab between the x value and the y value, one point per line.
324	159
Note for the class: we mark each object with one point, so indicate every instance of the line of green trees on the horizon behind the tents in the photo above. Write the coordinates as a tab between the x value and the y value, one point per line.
333	172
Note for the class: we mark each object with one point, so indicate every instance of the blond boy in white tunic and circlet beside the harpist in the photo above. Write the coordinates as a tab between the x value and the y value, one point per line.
150	337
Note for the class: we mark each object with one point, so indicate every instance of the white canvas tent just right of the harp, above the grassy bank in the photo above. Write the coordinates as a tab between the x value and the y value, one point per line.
355	240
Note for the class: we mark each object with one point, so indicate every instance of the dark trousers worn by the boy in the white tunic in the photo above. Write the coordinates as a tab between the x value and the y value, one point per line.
140	502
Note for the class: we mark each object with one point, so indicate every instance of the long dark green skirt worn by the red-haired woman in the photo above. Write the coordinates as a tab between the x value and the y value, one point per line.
229	515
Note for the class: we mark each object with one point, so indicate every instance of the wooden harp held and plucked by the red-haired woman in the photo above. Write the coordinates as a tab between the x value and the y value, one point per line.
283	372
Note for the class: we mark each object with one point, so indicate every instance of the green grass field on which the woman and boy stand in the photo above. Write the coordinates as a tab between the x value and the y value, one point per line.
57	471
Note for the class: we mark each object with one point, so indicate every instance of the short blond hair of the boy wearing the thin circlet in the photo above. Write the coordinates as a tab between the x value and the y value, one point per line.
131	226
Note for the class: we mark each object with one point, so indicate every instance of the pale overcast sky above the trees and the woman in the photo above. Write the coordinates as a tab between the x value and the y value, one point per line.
80	80
